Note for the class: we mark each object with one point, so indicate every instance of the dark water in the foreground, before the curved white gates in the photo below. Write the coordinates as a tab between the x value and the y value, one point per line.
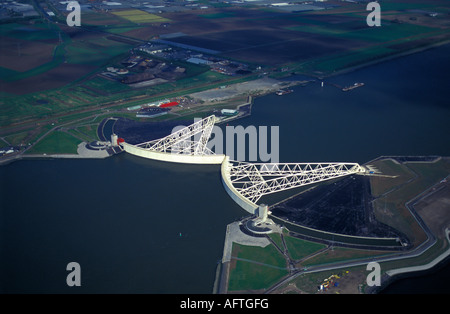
119	218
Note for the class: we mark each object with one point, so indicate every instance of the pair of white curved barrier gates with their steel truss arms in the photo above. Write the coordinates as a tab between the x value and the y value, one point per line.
245	182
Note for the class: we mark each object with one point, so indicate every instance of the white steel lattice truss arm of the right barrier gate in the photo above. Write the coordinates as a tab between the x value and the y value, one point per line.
253	181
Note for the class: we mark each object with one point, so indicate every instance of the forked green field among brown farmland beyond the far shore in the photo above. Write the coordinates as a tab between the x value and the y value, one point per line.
372	43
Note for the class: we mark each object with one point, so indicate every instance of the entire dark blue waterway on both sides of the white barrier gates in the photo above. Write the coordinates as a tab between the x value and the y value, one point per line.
140	226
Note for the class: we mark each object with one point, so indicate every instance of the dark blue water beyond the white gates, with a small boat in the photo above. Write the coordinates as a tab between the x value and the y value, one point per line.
402	109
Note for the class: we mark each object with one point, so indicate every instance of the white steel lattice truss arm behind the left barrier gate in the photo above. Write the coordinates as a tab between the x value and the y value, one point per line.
180	142
